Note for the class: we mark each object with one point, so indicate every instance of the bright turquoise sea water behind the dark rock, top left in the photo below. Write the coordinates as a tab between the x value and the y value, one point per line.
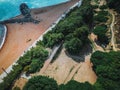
10	8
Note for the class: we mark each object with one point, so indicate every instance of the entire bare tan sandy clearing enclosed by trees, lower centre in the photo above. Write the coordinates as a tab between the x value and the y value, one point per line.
64	68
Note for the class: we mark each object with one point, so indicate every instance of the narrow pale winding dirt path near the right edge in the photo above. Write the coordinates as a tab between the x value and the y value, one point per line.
112	30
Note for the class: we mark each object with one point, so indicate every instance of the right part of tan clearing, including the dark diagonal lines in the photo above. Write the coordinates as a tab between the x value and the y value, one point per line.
83	72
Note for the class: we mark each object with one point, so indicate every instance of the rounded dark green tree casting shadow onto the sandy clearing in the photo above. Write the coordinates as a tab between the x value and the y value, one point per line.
75	41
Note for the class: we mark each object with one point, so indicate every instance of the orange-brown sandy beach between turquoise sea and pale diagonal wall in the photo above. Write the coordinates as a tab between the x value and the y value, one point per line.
20	37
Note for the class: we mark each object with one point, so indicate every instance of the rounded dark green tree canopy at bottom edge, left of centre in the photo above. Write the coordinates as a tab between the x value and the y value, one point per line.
41	83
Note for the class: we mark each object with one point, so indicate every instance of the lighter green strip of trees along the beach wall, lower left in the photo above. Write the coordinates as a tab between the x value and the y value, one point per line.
30	62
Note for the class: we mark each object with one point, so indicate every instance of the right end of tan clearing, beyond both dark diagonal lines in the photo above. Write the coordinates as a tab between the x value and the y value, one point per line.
85	72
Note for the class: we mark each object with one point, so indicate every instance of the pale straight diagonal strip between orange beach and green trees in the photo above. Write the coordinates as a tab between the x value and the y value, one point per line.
40	36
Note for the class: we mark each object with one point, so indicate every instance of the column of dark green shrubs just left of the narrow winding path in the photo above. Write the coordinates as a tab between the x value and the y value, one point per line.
100	27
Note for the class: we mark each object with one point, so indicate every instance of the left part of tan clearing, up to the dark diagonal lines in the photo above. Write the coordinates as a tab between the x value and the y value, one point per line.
60	68
